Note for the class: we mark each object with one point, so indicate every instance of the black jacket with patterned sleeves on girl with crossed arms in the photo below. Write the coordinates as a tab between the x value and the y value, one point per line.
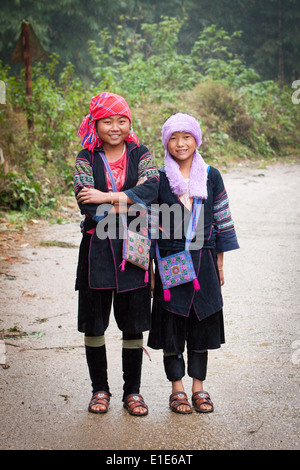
100	259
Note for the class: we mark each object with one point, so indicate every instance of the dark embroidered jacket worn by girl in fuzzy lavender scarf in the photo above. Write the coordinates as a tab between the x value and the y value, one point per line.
218	236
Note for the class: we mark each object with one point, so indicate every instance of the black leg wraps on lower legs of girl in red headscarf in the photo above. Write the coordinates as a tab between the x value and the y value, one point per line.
131	366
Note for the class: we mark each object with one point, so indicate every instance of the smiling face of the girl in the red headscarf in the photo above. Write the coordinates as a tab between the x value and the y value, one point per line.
113	130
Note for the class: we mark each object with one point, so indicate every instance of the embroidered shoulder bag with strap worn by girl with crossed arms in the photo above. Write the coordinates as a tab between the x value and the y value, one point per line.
136	247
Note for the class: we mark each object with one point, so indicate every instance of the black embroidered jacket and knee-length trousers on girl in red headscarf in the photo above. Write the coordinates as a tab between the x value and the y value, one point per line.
99	278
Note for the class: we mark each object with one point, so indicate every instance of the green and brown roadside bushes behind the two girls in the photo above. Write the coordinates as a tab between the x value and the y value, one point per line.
244	118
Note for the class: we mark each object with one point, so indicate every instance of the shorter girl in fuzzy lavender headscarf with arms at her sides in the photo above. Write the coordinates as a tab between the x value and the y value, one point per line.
190	316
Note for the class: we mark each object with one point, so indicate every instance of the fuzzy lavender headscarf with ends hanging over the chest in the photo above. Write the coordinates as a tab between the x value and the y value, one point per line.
181	122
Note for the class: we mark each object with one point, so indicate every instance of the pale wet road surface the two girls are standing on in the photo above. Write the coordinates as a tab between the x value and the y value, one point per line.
253	380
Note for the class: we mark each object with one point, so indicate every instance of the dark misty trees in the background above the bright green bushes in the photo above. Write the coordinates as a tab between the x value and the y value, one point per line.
269	43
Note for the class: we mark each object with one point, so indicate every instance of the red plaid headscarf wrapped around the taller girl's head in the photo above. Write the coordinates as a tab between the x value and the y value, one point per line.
102	106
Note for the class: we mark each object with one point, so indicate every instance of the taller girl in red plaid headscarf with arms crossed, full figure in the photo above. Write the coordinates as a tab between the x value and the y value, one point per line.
101	278
